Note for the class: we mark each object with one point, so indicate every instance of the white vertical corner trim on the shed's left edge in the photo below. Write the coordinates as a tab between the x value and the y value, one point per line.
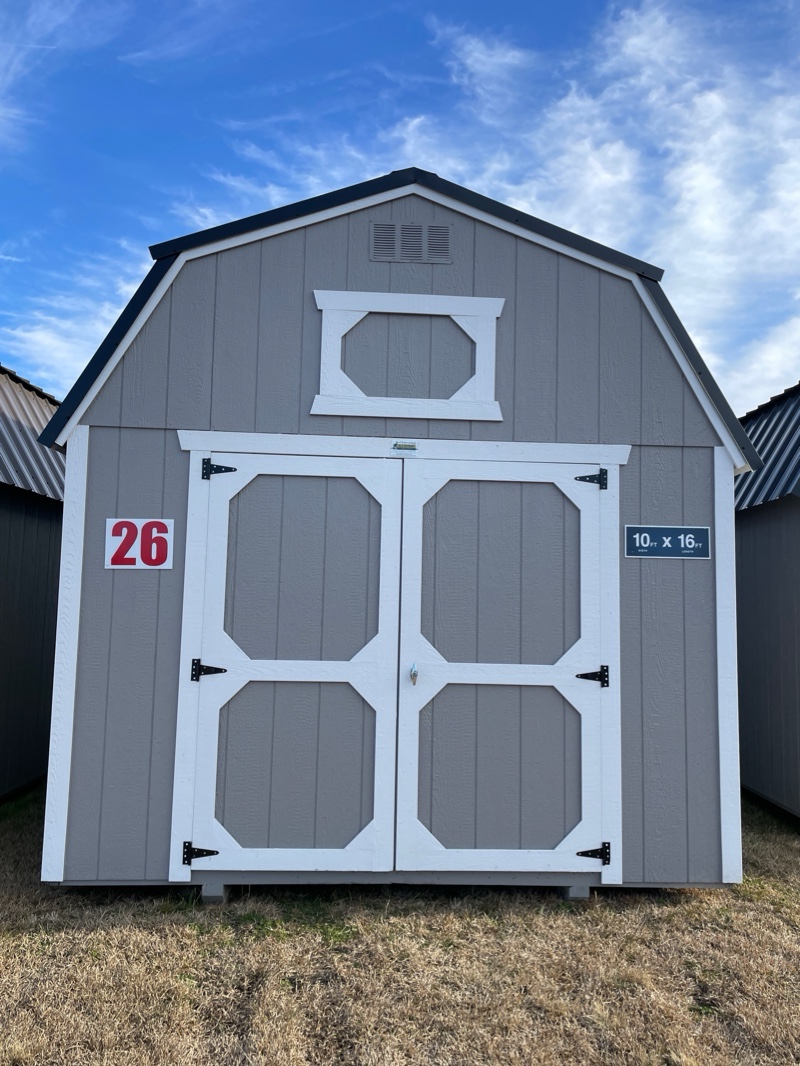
67	656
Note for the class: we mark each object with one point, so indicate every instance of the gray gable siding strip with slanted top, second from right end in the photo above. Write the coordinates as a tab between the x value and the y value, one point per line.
663	391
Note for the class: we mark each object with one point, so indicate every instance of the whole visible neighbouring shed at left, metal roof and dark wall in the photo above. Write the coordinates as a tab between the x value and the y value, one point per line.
31	495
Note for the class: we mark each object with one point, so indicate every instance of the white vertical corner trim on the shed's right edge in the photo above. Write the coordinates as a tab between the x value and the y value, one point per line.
727	680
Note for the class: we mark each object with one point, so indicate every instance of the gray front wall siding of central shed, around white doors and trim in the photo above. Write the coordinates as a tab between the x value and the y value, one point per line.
235	346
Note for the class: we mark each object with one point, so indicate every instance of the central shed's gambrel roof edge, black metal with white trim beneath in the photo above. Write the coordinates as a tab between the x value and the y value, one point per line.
172	254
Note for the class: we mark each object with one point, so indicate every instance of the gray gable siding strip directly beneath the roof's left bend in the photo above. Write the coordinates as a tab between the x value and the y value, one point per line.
190	380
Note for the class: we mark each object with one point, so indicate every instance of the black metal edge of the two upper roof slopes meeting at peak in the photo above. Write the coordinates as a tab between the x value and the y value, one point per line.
389	183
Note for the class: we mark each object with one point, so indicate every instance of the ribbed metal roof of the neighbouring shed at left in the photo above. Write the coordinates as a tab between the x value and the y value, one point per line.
25	411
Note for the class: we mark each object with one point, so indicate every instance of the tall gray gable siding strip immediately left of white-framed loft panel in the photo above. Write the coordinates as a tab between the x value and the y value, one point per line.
280	333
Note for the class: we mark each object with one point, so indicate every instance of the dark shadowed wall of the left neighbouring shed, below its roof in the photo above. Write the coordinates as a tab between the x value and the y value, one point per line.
30	542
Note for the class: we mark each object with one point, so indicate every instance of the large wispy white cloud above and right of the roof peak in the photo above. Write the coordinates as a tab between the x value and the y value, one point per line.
661	137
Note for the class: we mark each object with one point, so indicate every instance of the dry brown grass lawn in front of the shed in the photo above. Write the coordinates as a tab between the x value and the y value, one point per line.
398	976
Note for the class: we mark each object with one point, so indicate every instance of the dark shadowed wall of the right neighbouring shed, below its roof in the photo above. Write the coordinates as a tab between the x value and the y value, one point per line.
769	608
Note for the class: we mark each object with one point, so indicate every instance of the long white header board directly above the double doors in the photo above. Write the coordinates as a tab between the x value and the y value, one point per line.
290	444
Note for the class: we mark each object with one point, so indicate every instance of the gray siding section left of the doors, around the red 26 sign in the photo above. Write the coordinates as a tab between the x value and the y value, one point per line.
129	652
